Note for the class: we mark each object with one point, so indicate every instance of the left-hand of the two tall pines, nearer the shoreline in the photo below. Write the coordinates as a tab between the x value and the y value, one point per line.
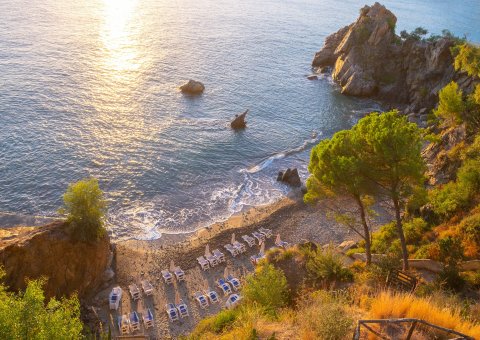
336	168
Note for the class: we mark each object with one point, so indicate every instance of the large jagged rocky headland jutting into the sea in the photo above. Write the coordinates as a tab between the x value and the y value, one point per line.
368	59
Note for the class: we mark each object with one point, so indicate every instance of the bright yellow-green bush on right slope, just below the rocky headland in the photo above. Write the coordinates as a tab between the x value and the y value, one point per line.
451	105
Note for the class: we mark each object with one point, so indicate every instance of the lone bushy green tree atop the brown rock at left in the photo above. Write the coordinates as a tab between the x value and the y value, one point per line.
85	208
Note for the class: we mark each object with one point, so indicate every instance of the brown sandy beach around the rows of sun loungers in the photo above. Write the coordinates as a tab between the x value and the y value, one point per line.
135	261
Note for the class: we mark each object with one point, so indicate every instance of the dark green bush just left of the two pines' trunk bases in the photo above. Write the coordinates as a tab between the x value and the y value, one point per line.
326	267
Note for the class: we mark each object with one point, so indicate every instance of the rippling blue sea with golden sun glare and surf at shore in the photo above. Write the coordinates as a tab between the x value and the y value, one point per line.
89	88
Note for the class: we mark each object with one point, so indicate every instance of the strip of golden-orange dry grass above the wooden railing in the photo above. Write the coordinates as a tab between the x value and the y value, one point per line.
388	305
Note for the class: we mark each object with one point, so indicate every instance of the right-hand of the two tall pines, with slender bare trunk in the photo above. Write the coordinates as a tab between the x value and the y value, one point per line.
391	147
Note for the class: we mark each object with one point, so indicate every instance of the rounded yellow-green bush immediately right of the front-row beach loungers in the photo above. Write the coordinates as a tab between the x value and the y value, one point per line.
267	287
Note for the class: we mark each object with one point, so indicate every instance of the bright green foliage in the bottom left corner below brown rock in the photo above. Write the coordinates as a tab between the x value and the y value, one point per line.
26	316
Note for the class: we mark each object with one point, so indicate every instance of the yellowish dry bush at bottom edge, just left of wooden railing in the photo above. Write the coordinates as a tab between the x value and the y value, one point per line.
324	317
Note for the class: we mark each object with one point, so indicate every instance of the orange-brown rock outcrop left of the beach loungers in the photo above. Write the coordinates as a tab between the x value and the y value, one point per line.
49	251
